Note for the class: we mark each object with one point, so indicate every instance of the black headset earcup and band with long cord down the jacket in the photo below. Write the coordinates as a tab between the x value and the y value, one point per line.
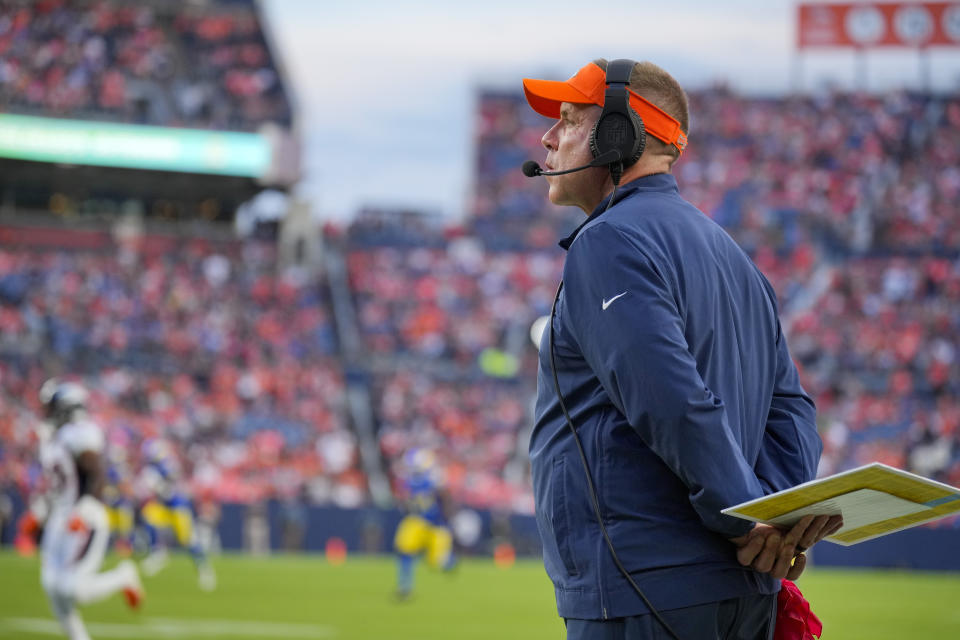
618	129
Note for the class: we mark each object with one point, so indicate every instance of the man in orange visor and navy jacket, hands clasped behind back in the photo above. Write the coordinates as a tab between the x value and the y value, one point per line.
671	366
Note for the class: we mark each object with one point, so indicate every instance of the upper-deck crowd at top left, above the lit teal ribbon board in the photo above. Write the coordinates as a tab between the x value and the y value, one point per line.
183	64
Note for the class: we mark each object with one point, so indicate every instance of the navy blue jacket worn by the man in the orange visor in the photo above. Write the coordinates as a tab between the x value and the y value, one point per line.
673	366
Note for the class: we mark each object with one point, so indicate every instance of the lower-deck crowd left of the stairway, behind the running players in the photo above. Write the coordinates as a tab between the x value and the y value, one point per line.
211	349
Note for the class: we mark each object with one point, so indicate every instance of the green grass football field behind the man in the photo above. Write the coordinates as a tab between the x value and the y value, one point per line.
306	597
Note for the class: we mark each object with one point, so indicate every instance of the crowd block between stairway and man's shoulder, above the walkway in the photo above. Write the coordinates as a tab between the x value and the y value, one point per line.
450	303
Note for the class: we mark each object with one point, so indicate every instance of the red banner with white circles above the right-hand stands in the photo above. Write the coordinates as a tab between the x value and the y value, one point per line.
878	24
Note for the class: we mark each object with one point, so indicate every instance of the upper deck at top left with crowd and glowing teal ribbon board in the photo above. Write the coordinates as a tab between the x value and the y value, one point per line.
170	110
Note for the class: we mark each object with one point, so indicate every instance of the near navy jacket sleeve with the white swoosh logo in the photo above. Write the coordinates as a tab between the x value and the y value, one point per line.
630	332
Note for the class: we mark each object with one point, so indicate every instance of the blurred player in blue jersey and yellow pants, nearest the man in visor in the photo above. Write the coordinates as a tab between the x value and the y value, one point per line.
424	530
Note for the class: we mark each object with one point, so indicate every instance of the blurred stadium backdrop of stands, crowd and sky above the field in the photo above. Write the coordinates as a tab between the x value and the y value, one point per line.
290	240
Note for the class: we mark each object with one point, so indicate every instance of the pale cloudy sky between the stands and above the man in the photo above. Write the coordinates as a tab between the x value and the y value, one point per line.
385	90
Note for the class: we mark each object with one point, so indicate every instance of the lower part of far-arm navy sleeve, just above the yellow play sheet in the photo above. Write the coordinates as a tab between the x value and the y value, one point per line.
791	447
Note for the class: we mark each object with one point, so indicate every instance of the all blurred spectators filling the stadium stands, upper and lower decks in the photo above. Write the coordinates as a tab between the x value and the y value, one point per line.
847	202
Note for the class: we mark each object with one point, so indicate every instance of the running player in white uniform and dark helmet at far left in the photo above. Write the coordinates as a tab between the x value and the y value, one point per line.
76	532
